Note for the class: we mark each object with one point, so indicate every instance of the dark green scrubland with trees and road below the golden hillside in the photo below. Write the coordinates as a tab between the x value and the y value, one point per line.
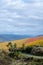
30	55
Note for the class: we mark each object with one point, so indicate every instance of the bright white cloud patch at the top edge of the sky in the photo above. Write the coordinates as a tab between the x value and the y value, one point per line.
15	4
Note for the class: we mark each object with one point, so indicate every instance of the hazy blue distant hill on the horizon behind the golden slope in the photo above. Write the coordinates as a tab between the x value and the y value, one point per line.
9	37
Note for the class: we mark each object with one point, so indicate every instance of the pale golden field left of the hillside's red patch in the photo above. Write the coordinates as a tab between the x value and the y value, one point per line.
3	45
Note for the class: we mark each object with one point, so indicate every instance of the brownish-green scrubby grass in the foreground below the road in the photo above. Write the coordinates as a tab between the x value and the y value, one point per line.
5	60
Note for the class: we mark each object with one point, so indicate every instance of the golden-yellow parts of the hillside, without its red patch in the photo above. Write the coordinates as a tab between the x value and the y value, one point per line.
20	42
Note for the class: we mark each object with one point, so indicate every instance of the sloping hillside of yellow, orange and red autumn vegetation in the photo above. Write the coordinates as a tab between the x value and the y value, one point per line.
27	42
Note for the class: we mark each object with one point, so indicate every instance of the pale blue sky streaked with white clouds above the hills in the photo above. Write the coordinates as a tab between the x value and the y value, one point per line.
24	17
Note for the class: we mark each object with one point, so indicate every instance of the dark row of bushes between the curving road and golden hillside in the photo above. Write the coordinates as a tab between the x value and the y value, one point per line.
34	50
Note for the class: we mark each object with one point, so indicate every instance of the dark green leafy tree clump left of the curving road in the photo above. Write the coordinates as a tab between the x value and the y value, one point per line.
13	51
